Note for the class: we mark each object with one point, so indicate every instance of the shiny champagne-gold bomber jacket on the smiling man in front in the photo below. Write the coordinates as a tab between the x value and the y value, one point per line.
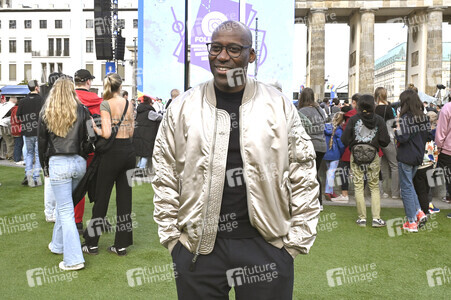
189	160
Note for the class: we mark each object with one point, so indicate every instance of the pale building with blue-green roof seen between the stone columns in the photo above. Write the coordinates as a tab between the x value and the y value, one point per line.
390	70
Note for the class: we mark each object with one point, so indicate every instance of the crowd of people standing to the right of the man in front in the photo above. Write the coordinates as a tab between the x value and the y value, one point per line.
410	135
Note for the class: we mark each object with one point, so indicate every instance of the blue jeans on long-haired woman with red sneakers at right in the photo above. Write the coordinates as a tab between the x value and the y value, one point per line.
408	194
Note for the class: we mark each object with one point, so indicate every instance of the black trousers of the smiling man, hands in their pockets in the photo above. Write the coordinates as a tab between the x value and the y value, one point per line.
255	268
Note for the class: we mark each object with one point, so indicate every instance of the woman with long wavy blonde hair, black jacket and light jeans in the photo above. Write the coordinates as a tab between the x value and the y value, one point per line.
61	132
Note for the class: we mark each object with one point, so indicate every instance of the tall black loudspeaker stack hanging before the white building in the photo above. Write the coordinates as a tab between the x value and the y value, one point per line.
102	30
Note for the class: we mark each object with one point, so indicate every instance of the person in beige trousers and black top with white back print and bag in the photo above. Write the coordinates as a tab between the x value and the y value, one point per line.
364	134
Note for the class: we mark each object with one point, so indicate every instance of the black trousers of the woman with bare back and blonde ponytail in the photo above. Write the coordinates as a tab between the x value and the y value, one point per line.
112	169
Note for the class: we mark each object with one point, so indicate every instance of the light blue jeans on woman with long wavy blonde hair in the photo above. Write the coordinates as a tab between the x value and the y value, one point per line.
65	173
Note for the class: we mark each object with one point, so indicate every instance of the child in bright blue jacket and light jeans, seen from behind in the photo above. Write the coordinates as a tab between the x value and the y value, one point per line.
335	149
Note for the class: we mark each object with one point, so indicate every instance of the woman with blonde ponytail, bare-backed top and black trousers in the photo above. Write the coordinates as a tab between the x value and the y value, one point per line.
117	117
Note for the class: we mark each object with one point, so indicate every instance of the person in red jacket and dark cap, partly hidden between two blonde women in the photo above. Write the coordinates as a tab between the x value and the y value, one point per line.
83	80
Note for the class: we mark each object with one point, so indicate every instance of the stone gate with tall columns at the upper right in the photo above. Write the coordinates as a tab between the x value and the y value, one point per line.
424	19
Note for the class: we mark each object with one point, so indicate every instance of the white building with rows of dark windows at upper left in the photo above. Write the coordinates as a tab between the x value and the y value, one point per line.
39	37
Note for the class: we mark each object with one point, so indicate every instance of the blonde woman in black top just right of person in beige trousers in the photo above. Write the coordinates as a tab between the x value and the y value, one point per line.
384	110
